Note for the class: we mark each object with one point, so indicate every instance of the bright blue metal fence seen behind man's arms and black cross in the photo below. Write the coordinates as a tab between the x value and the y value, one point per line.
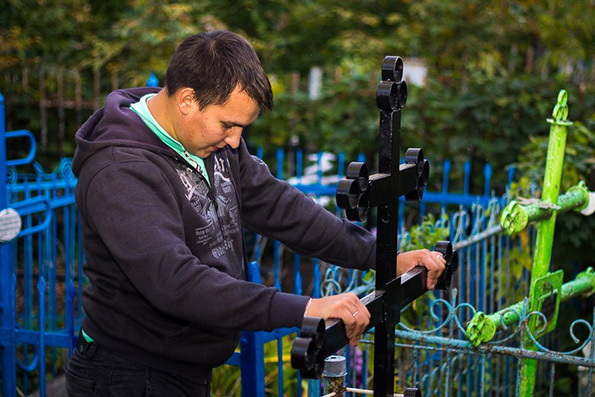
318	178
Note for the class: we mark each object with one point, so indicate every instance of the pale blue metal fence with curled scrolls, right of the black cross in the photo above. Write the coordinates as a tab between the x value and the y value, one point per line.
447	364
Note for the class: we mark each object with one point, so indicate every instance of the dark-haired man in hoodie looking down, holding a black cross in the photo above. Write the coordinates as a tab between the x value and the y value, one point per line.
166	186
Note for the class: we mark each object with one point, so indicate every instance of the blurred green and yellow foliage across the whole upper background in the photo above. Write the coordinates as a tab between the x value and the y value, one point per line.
492	68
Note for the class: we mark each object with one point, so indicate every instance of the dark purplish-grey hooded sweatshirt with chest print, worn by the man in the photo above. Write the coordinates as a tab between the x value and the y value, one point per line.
164	249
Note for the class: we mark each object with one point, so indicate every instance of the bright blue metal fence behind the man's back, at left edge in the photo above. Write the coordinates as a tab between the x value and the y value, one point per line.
39	269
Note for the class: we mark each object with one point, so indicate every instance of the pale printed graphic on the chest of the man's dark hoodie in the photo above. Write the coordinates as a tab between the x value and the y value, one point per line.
221	211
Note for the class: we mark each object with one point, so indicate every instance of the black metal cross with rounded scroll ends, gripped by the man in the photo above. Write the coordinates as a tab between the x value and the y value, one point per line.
357	194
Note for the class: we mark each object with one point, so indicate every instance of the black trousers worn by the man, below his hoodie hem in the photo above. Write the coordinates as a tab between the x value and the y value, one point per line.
92	371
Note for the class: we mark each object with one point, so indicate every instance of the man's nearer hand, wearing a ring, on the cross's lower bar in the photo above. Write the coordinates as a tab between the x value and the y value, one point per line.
346	307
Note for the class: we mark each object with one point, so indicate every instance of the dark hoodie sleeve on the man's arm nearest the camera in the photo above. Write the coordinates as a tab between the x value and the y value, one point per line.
140	248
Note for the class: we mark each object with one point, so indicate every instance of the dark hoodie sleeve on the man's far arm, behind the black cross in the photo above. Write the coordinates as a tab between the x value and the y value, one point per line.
274	208
